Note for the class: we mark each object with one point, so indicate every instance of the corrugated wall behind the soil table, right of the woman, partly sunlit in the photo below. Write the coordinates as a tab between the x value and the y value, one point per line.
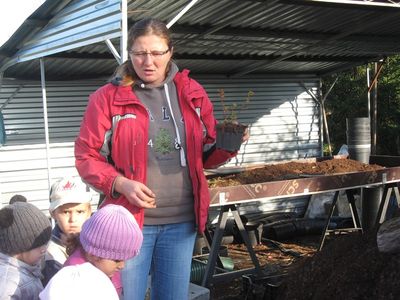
284	120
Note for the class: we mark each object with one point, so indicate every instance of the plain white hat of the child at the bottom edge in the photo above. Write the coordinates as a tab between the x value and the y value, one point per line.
79	282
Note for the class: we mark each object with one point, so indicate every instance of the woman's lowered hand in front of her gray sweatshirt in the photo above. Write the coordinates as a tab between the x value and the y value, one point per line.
136	192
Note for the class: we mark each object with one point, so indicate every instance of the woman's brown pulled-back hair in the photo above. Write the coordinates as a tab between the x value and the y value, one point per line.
148	26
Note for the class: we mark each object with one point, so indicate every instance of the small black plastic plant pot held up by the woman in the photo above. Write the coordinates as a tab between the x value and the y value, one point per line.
229	136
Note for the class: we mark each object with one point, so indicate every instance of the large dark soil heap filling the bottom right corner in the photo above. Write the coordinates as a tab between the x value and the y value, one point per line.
348	267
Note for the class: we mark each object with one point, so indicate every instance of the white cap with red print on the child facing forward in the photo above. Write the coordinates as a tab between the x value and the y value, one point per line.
69	190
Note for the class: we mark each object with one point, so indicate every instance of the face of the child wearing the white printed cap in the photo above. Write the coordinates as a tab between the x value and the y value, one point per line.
71	216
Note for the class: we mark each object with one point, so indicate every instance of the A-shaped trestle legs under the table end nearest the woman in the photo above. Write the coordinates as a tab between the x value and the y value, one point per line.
209	275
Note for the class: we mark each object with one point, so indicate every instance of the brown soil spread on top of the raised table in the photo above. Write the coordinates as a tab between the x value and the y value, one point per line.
291	170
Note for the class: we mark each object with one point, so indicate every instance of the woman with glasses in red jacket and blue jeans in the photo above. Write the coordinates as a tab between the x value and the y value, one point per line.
144	141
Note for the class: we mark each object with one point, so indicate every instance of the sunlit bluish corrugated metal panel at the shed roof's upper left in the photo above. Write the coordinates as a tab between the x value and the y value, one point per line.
78	24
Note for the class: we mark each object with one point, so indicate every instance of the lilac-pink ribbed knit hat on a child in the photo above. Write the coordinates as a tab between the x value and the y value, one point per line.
111	233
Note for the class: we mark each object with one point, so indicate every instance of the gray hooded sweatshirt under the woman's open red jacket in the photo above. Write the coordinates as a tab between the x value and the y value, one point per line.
166	176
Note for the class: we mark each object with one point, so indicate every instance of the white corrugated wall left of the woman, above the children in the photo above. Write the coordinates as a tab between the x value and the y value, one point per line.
23	159
